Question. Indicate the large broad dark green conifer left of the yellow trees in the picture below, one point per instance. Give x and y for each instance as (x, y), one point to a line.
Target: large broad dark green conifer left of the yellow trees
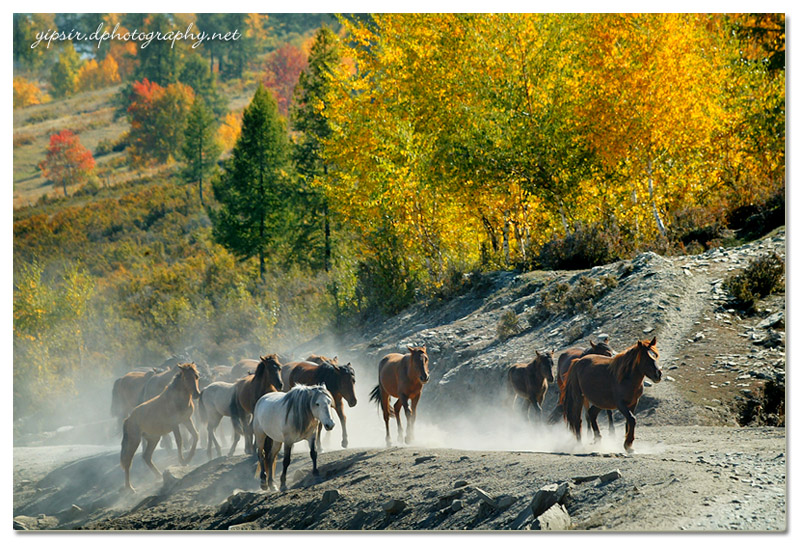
(253, 213)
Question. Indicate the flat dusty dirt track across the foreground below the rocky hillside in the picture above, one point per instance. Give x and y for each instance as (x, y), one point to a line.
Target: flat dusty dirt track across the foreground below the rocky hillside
(690, 478)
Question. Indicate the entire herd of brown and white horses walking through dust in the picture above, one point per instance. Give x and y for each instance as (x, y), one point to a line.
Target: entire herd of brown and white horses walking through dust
(272, 404)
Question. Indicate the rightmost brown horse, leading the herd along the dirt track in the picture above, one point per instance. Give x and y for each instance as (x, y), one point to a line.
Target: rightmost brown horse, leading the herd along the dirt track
(599, 382)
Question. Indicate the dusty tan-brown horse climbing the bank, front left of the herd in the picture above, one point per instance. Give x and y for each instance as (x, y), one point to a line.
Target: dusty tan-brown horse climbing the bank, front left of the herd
(159, 416)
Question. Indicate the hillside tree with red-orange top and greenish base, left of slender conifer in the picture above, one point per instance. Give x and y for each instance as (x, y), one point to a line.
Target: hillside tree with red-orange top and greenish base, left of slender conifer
(157, 117)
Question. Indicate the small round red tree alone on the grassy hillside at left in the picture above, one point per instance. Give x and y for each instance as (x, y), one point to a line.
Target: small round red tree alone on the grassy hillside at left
(67, 161)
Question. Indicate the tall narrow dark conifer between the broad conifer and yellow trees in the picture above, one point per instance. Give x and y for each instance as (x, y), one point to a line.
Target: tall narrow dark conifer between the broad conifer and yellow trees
(313, 128)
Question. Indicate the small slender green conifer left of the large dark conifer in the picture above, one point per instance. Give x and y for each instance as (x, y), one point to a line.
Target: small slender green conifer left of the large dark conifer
(200, 147)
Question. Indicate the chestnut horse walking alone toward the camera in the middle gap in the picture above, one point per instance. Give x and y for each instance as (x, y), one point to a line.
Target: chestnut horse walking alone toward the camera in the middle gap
(401, 376)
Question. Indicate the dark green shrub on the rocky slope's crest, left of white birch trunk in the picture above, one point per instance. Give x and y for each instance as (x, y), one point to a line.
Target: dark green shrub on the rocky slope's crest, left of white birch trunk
(584, 248)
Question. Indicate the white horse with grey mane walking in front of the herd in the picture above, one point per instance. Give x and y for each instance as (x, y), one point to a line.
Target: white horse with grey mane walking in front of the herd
(289, 417)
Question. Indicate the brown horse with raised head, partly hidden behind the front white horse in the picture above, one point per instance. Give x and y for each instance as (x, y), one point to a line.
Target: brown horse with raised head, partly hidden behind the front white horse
(267, 378)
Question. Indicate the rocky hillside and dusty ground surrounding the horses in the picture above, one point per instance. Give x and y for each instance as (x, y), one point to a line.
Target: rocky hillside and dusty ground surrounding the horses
(475, 464)
